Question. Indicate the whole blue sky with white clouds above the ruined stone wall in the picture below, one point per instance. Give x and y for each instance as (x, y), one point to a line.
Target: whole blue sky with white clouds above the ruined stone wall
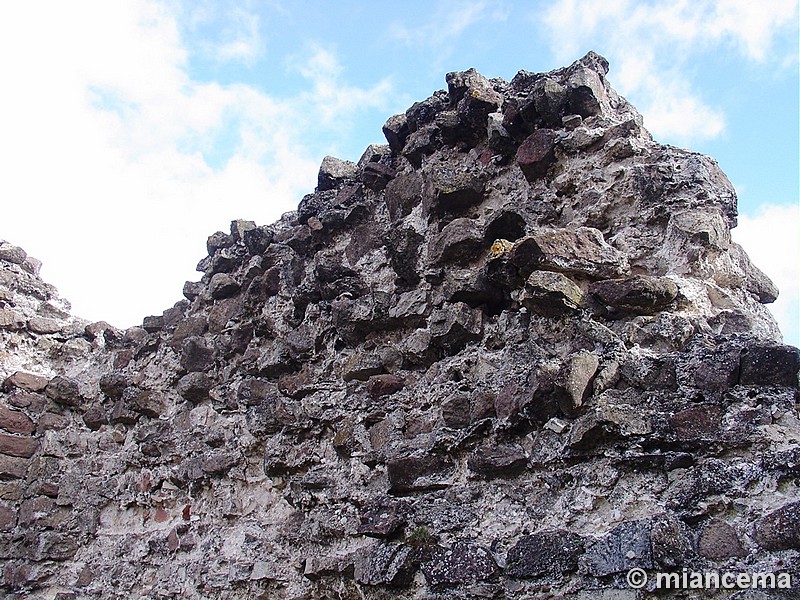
(130, 130)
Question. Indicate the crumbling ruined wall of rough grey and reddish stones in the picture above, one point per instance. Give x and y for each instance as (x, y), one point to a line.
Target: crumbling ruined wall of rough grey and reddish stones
(514, 353)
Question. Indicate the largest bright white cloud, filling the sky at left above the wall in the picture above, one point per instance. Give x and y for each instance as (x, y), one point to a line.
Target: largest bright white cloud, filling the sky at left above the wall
(105, 150)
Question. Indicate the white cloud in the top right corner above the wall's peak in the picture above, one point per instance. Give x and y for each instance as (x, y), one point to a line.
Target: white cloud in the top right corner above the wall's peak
(651, 45)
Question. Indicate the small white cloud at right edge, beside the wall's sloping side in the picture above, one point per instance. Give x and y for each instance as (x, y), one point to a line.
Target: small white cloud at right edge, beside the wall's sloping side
(772, 240)
